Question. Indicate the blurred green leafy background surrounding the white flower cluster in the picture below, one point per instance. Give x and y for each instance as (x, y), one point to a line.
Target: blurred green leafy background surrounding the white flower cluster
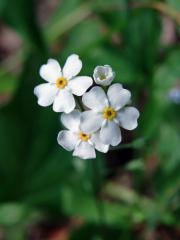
(129, 193)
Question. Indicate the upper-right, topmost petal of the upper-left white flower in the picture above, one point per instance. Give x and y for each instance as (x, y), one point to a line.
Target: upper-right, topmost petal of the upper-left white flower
(72, 66)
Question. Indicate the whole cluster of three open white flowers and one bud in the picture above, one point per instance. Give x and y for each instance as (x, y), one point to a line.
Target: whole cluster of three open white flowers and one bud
(97, 126)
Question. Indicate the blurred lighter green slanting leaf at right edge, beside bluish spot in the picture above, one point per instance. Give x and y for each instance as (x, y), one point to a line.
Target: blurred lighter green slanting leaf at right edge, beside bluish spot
(166, 76)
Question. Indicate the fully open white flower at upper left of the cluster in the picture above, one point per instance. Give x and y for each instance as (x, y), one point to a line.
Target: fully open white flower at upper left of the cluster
(62, 84)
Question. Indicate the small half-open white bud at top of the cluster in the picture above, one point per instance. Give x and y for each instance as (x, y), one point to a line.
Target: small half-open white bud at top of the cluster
(103, 75)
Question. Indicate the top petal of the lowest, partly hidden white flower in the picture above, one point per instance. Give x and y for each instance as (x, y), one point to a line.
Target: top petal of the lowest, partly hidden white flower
(71, 120)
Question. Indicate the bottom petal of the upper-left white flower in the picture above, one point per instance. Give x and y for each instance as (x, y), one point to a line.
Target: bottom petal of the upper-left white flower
(64, 102)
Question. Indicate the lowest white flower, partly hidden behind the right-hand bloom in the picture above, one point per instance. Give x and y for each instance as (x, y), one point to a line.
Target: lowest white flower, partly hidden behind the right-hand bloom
(83, 145)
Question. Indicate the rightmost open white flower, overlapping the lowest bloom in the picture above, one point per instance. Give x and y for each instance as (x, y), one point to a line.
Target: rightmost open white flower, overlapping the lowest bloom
(107, 113)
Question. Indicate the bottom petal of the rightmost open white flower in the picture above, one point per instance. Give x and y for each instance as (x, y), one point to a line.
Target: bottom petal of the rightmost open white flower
(110, 133)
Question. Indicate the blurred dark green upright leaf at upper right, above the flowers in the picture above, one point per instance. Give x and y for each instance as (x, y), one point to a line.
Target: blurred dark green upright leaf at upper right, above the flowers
(141, 40)
